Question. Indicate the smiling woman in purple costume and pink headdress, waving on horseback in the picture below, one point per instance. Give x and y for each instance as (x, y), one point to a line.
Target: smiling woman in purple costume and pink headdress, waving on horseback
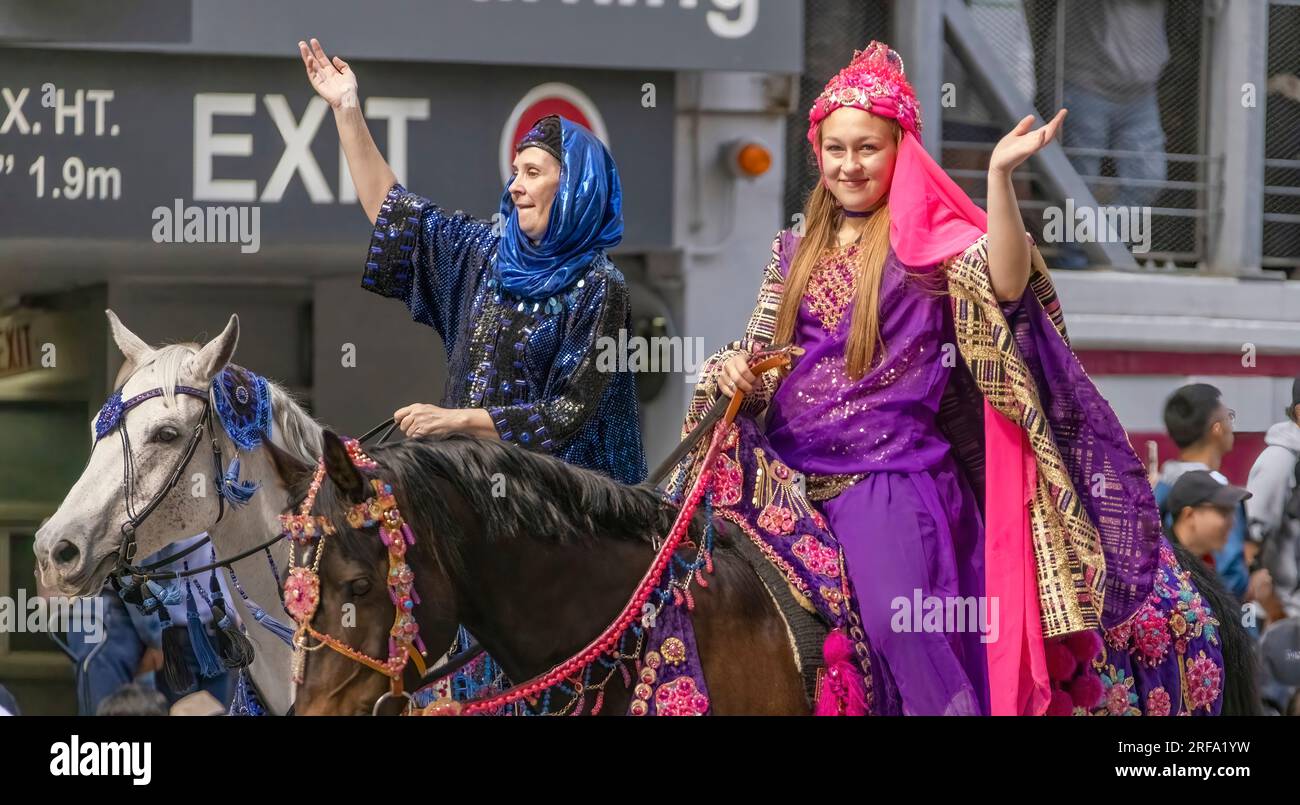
(928, 369)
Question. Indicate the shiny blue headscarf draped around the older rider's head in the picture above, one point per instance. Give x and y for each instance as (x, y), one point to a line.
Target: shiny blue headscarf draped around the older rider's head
(587, 219)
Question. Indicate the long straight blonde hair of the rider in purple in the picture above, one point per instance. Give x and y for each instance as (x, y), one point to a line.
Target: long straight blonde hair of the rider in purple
(822, 217)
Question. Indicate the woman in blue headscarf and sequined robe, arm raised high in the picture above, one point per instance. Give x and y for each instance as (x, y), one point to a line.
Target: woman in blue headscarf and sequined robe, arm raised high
(521, 304)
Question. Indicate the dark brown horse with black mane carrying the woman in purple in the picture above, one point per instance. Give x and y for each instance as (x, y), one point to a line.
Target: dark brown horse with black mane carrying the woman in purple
(536, 559)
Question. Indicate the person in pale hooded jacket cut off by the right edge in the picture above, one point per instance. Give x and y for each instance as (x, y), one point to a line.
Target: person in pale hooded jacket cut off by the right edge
(1275, 509)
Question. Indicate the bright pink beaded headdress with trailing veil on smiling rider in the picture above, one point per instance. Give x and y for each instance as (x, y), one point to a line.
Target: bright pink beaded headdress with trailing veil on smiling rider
(931, 219)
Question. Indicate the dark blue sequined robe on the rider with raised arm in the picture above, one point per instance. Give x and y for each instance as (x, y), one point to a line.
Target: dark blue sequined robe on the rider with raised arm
(531, 363)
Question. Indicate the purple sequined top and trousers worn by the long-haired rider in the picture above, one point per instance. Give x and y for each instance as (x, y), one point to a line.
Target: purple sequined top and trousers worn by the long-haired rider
(911, 527)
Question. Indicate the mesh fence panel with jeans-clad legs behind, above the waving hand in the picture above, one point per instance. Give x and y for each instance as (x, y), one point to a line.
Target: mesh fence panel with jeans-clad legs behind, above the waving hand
(1133, 75)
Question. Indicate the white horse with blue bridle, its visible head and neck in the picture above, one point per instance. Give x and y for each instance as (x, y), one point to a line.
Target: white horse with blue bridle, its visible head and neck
(79, 547)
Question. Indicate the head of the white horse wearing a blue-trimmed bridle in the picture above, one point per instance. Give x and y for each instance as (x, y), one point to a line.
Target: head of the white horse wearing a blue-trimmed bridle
(79, 547)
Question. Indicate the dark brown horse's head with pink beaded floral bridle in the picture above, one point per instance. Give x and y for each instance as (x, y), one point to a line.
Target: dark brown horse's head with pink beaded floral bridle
(361, 592)
